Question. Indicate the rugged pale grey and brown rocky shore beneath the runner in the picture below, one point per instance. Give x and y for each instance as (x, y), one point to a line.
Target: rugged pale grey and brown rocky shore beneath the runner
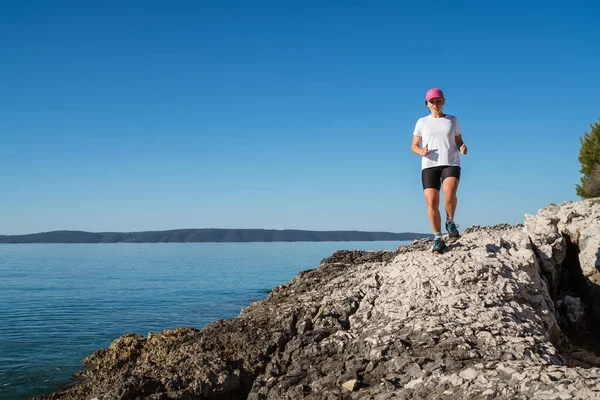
(507, 313)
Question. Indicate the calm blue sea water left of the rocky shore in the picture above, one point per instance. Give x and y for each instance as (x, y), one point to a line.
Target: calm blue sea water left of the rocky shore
(61, 302)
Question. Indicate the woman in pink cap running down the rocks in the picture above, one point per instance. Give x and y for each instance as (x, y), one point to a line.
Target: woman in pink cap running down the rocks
(440, 136)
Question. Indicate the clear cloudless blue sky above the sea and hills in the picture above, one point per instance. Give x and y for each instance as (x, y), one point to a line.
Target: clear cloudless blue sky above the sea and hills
(151, 115)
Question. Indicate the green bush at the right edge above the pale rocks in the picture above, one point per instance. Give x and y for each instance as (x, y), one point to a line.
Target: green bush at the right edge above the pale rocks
(589, 157)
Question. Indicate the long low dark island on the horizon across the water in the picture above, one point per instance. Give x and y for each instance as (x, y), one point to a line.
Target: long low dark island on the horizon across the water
(210, 235)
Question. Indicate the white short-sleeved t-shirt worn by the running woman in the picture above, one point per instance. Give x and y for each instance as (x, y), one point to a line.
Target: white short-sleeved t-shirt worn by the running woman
(438, 134)
